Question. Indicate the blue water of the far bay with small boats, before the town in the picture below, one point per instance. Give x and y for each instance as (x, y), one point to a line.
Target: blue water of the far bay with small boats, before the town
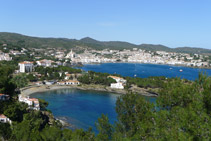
(146, 70)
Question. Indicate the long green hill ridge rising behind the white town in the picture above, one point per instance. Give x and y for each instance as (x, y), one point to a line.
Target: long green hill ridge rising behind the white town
(37, 42)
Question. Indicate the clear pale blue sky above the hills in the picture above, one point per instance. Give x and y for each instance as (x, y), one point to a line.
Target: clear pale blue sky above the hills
(174, 23)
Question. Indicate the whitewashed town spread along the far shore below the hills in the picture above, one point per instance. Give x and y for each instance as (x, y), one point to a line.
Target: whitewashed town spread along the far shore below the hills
(79, 55)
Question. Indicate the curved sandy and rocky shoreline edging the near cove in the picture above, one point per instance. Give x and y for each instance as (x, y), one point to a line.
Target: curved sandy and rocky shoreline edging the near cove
(27, 91)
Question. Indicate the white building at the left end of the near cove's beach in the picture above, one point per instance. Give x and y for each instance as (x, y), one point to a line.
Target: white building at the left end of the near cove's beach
(32, 102)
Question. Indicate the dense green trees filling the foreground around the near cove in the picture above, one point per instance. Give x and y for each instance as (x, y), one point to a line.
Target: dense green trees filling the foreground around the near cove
(182, 112)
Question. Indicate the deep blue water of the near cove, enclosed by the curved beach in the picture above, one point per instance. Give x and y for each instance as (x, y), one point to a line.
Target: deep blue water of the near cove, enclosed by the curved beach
(81, 108)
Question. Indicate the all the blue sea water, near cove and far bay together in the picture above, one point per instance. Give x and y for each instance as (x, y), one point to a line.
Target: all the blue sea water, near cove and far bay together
(82, 108)
